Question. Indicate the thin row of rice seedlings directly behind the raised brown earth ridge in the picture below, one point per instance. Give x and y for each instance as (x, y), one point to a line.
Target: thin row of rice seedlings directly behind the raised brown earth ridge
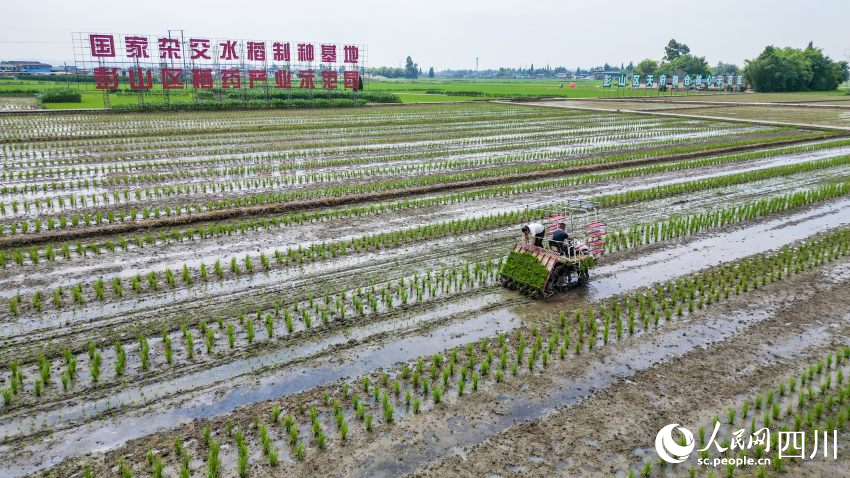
(355, 189)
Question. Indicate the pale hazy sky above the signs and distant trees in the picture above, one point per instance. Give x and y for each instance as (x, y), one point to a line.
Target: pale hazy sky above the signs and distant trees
(449, 34)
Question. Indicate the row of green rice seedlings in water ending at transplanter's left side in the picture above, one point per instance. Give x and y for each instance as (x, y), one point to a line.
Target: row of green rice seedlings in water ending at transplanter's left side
(343, 307)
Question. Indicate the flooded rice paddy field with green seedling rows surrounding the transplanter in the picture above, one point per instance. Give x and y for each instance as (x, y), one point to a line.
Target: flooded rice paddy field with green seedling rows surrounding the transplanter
(317, 293)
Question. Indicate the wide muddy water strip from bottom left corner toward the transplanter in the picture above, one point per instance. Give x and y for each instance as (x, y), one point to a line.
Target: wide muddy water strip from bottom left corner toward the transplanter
(230, 393)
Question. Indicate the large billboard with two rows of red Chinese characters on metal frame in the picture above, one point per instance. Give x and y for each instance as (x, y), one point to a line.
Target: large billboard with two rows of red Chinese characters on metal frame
(177, 61)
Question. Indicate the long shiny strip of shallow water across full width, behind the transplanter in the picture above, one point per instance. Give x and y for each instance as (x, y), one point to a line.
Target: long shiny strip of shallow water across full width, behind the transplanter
(64, 272)
